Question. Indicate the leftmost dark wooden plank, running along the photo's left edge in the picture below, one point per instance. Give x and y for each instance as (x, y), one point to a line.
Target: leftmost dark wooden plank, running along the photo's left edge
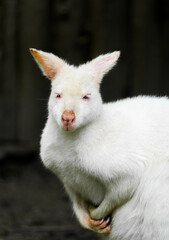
(8, 92)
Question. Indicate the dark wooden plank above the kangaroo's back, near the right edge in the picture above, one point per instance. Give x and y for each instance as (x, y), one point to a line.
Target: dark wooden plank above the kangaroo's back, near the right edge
(146, 48)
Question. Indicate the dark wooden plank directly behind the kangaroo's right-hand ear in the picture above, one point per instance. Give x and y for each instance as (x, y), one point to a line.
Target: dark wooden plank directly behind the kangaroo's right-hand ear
(108, 29)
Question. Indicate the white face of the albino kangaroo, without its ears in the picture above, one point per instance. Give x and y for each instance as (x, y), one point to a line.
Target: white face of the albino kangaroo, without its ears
(75, 99)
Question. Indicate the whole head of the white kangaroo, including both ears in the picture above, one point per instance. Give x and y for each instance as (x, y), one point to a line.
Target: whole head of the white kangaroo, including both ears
(75, 99)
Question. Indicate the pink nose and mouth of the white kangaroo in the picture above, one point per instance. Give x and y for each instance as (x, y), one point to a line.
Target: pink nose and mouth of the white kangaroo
(68, 118)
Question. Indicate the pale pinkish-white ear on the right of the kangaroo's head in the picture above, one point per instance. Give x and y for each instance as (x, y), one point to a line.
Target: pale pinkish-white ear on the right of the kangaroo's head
(102, 64)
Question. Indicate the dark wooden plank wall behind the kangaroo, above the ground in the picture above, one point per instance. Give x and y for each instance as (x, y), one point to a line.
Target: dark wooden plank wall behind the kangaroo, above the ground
(77, 30)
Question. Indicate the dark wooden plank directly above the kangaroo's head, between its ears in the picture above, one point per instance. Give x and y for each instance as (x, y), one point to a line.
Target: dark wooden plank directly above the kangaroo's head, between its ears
(71, 37)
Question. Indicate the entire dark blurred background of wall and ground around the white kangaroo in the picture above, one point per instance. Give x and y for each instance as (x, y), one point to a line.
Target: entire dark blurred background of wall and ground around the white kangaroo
(75, 30)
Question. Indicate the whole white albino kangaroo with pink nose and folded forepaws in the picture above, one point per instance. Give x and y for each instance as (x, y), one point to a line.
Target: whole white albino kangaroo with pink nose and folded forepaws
(113, 159)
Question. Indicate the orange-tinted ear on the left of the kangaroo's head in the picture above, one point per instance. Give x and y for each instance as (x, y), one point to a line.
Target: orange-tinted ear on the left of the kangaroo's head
(50, 64)
